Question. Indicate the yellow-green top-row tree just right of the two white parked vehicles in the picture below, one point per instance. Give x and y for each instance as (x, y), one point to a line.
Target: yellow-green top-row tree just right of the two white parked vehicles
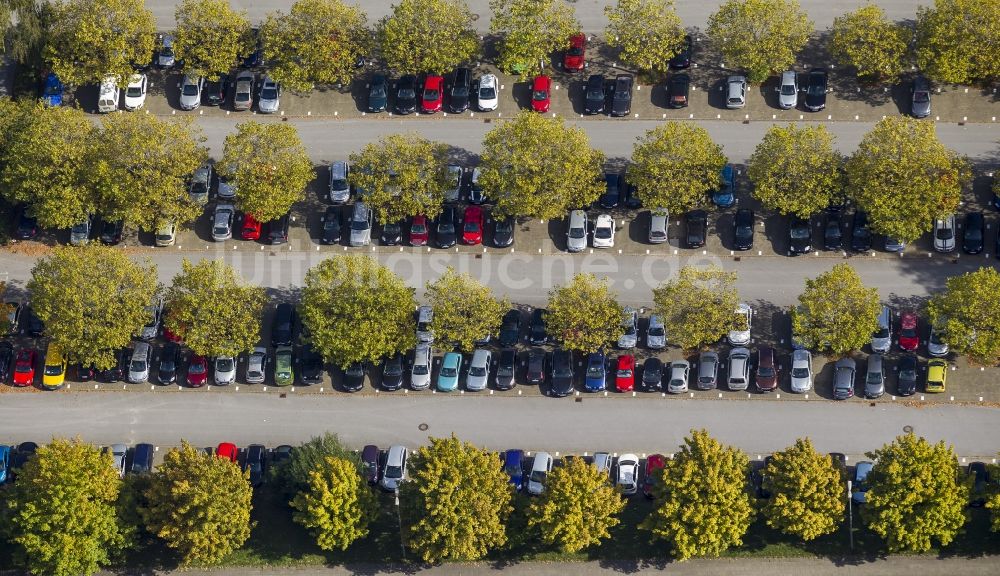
(211, 37)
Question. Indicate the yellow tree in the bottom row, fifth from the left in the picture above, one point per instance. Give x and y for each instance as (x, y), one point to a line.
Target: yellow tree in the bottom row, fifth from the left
(578, 508)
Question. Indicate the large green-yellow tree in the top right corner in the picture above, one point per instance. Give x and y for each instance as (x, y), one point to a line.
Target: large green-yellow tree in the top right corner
(957, 40)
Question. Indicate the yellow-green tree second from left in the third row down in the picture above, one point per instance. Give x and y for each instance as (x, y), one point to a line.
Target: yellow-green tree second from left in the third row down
(213, 310)
